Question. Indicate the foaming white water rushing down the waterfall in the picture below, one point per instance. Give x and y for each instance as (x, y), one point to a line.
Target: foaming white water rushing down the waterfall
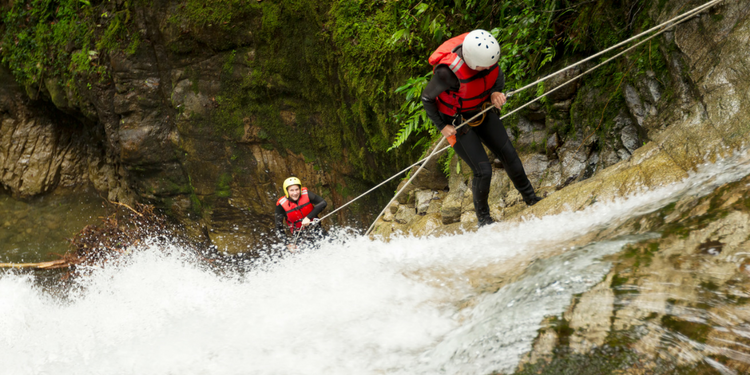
(359, 307)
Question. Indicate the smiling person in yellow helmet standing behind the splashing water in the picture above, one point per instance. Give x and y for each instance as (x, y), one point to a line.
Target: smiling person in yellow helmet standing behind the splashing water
(295, 211)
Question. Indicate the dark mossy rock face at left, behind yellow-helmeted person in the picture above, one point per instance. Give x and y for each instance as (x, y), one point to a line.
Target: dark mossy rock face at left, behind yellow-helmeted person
(203, 120)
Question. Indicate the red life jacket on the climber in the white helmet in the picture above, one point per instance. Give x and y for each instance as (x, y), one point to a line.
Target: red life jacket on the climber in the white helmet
(474, 86)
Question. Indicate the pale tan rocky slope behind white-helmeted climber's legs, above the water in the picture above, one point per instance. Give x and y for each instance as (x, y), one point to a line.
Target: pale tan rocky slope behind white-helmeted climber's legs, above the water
(680, 102)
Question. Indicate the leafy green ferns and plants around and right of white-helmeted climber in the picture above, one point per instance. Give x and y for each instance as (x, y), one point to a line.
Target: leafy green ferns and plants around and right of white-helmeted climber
(537, 37)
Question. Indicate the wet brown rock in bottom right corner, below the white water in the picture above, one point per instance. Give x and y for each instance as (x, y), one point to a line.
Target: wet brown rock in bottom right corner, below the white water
(672, 301)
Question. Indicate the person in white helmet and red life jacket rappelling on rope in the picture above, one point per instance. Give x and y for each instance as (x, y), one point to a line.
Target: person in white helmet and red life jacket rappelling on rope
(466, 77)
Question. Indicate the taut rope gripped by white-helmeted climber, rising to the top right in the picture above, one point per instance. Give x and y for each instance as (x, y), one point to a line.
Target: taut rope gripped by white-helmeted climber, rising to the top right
(663, 26)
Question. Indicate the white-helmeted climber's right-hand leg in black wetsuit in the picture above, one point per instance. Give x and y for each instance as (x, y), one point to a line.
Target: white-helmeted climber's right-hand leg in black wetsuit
(493, 134)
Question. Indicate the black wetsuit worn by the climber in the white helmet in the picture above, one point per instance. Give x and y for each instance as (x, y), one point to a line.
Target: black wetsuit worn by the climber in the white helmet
(469, 142)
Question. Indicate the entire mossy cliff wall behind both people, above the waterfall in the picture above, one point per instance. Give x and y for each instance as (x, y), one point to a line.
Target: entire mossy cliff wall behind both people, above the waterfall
(205, 107)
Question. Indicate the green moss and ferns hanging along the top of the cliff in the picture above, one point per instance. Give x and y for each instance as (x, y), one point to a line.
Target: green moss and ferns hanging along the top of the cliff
(327, 80)
